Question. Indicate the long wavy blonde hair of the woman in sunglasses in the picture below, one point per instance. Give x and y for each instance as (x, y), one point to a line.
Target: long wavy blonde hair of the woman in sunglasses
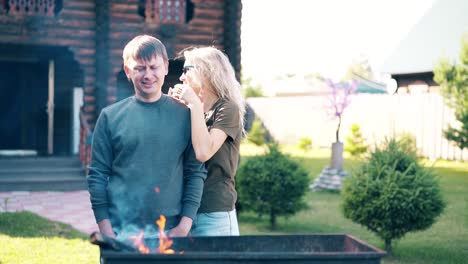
(214, 66)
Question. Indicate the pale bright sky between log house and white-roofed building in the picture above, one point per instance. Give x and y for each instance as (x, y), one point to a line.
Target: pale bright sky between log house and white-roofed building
(322, 36)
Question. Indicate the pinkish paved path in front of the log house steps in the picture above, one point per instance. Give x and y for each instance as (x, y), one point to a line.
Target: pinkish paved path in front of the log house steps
(72, 208)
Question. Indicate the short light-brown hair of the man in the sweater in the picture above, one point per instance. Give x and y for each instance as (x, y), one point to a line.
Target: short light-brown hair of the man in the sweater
(144, 47)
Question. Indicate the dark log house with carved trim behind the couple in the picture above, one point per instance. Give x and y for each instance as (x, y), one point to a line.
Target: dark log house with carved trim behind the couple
(60, 58)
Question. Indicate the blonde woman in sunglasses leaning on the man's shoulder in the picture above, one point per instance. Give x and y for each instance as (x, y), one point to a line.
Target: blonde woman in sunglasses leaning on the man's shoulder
(212, 93)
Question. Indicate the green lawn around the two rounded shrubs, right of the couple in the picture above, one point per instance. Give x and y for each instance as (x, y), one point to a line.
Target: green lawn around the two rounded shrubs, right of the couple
(445, 242)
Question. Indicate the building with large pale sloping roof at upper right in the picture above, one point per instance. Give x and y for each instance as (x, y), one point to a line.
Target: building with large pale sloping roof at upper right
(438, 34)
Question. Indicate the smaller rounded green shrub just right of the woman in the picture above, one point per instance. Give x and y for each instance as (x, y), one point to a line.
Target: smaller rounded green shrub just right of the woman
(272, 184)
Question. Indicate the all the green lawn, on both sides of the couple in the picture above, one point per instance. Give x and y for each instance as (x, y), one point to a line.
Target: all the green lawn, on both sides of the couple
(28, 238)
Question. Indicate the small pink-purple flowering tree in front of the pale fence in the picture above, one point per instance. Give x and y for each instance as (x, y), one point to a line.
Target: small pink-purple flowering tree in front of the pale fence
(339, 101)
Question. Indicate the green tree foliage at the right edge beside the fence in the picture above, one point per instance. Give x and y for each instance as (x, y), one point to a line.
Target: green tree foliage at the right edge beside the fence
(453, 80)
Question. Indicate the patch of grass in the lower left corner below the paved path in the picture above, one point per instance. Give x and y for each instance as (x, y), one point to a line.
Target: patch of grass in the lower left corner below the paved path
(28, 238)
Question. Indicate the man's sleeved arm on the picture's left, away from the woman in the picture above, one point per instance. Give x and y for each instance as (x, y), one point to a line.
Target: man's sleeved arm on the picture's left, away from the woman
(99, 172)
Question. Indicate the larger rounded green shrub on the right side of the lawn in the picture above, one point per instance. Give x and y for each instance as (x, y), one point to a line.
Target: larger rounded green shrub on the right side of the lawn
(392, 194)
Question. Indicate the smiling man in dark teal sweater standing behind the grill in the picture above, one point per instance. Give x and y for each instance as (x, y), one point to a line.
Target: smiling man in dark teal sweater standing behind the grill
(143, 164)
